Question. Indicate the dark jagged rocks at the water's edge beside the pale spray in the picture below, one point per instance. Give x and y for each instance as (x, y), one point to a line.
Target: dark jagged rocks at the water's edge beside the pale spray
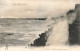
(40, 41)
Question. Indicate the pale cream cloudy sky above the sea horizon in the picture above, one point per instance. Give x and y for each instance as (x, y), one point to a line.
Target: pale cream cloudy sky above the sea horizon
(35, 8)
